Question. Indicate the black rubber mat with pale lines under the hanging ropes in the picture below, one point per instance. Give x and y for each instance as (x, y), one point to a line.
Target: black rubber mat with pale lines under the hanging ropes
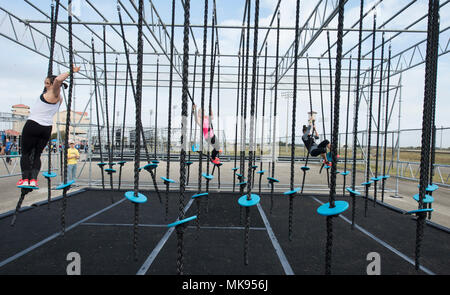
(99, 228)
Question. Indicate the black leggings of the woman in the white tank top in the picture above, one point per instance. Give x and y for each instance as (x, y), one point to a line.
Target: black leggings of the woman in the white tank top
(34, 139)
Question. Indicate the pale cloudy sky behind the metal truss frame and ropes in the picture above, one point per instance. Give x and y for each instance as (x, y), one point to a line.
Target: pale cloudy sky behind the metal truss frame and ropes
(23, 71)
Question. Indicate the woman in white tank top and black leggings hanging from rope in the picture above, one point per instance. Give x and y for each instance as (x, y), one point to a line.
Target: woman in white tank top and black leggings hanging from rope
(37, 130)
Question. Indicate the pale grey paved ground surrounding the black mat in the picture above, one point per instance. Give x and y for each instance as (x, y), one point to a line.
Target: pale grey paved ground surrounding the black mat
(9, 194)
